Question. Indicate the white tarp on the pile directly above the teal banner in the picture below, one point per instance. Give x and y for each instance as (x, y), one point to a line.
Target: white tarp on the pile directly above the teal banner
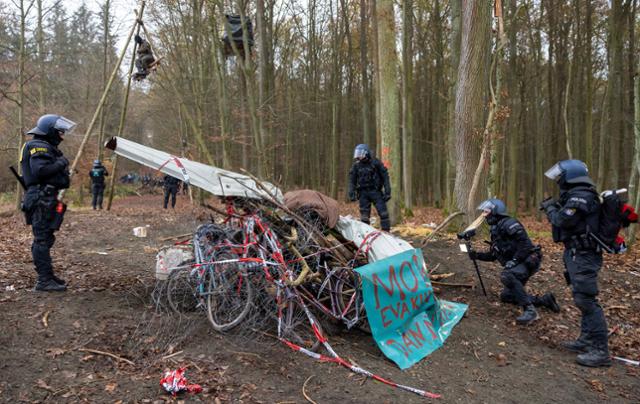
(382, 244)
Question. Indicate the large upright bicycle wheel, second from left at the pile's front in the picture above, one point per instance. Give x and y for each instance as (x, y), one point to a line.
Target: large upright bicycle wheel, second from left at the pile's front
(229, 293)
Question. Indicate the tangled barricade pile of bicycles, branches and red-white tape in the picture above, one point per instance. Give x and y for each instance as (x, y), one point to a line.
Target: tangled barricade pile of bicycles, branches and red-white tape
(263, 266)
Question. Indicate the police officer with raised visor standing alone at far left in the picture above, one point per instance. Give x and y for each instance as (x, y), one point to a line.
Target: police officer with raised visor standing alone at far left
(45, 171)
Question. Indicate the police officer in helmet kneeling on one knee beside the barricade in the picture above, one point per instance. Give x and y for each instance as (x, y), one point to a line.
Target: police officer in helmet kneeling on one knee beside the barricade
(512, 247)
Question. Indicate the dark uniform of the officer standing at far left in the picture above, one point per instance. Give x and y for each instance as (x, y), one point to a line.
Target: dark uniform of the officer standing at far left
(45, 172)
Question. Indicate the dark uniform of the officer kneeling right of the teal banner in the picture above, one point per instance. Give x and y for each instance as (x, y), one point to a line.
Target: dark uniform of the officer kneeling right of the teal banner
(510, 242)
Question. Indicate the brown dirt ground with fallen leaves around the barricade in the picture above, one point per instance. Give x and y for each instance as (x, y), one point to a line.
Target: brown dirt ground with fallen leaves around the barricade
(46, 339)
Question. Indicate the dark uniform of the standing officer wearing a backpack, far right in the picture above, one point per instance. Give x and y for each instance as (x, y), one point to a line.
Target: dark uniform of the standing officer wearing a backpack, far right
(573, 217)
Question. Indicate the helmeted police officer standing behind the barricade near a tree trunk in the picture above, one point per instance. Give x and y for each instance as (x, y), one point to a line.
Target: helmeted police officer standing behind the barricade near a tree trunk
(367, 178)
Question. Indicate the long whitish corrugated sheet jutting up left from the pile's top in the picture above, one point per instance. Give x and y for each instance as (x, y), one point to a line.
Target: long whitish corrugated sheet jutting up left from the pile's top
(212, 179)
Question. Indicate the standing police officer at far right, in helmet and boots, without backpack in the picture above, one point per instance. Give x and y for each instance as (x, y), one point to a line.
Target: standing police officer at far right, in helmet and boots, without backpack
(573, 217)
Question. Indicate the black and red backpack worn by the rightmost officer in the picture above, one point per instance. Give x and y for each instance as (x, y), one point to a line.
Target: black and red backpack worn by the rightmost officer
(614, 215)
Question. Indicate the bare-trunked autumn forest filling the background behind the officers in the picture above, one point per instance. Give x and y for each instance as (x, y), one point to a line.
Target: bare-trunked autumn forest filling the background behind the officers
(460, 99)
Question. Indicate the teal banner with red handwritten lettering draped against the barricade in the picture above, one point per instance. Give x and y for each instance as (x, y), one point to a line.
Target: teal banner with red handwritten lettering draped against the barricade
(408, 322)
